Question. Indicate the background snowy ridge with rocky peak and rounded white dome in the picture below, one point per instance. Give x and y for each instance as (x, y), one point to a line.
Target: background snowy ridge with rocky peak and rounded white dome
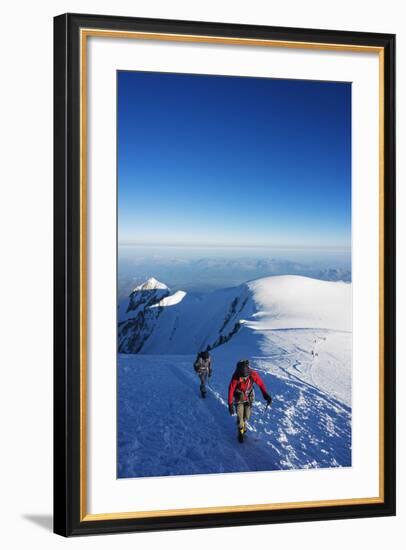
(189, 324)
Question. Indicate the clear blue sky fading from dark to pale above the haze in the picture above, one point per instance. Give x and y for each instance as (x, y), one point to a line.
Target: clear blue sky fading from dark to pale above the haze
(214, 160)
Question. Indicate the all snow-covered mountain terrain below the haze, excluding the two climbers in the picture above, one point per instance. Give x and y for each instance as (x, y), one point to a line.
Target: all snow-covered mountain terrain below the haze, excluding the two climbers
(296, 332)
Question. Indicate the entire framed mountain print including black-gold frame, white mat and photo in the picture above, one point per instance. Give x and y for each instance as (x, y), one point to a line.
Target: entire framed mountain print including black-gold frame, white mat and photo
(224, 274)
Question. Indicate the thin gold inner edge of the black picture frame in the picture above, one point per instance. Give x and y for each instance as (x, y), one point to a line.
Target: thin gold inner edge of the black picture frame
(84, 34)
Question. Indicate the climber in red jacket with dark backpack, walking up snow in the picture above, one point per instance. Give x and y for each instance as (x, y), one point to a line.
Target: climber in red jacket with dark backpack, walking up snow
(241, 394)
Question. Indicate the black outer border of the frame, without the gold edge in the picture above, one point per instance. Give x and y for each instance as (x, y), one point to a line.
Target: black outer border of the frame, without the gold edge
(67, 521)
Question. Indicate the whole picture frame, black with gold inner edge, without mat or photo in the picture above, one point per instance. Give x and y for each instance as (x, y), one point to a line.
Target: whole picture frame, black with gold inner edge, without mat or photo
(72, 205)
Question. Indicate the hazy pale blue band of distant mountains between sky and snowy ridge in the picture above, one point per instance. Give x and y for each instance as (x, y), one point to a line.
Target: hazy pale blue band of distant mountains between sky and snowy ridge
(205, 269)
